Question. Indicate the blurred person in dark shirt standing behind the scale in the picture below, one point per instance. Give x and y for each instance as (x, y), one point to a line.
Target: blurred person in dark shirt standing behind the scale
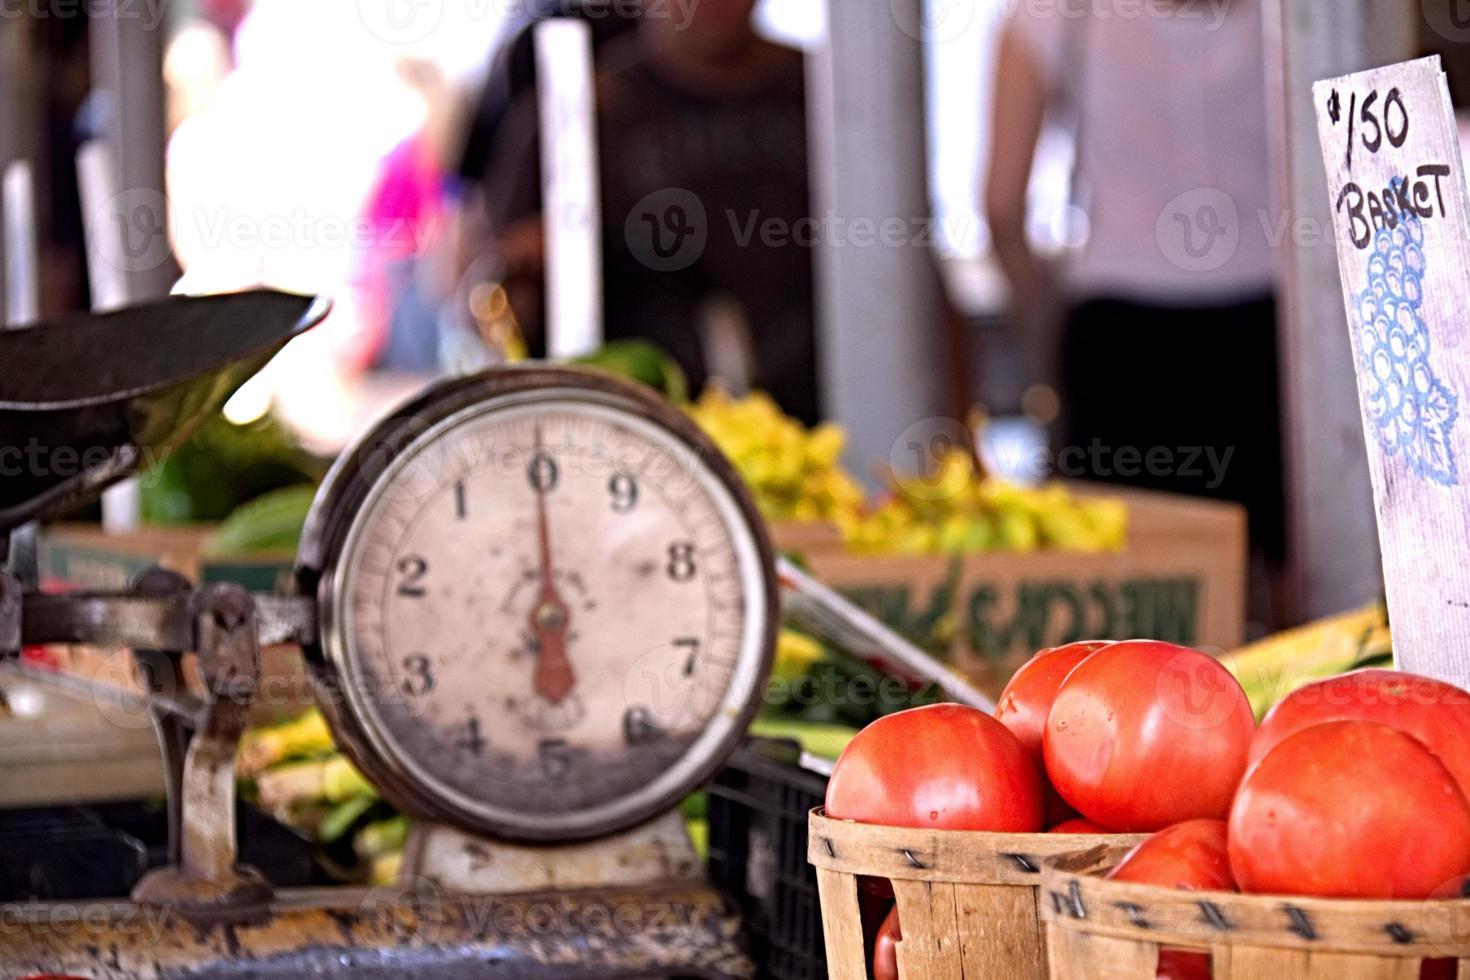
(703, 156)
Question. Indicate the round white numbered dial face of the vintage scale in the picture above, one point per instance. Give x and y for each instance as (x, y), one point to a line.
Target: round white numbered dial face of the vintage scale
(551, 616)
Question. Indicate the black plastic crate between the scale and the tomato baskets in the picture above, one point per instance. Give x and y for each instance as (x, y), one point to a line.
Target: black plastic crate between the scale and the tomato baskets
(758, 818)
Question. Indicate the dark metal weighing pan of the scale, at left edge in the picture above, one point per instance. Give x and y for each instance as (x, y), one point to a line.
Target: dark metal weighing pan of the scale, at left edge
(85, 399)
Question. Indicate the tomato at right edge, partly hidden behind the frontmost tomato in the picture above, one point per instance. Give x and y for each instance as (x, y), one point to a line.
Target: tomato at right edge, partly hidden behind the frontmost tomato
(1435, 713)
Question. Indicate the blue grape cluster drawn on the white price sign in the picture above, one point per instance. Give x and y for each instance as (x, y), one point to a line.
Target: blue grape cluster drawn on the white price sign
(1409, 408)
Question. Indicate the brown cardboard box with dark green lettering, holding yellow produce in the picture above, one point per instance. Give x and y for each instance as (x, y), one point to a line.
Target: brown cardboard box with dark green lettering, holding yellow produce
(1181, 580)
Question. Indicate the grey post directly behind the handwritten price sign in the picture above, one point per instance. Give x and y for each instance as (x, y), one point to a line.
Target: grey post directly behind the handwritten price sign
(1333, 536)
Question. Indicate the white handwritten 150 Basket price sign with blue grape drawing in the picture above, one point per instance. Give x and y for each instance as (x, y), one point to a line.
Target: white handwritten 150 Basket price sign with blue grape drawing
(1400, 212)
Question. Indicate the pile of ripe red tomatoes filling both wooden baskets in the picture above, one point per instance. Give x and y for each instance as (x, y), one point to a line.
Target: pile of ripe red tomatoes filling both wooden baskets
(1358, 787)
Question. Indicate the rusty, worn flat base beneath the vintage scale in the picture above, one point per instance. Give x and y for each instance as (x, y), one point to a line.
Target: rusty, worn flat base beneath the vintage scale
(390, 932)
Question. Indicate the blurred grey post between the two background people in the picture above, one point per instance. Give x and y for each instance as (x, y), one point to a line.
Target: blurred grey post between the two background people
(878, 300)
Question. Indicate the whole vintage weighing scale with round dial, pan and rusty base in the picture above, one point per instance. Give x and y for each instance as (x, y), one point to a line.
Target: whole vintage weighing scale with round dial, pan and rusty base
(539, 609)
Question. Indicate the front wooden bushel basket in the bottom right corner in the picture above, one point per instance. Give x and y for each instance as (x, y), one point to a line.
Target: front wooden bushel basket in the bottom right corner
(1114, 931)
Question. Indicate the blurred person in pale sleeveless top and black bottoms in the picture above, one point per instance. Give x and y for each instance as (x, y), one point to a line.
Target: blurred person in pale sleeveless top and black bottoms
(1168, 343)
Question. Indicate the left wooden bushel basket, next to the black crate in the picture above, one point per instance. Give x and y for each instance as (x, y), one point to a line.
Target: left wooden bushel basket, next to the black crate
(968, 901)
